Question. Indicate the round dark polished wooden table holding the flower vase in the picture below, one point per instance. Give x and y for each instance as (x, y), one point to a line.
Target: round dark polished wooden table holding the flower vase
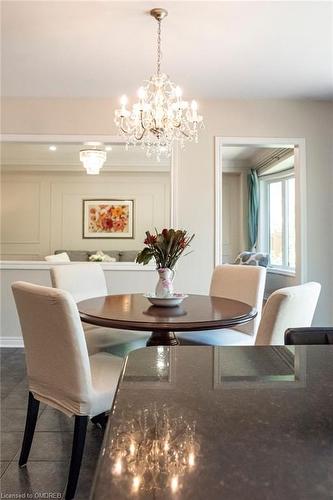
(134, 312)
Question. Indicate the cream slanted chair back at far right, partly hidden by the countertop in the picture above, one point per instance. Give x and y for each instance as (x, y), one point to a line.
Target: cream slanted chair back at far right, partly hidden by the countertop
(290, 307)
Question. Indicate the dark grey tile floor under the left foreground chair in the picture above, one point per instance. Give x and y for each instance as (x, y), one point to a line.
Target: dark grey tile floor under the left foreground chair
(47, 468)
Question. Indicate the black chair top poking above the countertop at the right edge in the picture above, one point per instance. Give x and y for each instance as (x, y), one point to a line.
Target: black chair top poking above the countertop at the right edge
(315, 335)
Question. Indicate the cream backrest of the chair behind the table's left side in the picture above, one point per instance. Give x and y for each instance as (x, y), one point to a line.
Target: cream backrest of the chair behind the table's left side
(82, 281)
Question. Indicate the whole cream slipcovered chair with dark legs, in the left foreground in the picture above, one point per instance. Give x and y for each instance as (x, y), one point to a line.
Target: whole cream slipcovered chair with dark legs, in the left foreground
(60, 371)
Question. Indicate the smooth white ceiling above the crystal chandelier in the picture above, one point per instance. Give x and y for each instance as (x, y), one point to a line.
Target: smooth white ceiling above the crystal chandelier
(254, 49)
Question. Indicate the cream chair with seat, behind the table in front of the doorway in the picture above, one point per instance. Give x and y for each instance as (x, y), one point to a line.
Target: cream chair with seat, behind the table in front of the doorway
(243, 283)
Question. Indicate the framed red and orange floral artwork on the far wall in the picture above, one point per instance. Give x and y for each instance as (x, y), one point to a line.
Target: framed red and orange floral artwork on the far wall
(108, 218)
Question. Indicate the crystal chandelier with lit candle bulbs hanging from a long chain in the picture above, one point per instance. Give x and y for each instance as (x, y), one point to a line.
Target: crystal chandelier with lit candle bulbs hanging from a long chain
(160, 116)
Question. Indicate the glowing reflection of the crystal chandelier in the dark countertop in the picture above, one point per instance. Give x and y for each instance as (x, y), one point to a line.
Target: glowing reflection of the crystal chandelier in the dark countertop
(153, 451)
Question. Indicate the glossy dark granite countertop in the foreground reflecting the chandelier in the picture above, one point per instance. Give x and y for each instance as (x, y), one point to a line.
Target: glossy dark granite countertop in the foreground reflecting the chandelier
(231, 423)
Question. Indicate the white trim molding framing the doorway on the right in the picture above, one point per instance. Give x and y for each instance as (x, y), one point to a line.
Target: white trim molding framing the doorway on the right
(300, 196)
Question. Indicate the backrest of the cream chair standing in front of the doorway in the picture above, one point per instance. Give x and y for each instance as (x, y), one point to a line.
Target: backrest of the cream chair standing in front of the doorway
(243, 283)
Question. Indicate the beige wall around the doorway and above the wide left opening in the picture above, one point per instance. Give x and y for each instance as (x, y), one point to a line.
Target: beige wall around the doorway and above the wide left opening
(260, 118)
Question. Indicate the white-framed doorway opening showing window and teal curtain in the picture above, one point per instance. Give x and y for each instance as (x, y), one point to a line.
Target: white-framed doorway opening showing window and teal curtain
(260, 208)
